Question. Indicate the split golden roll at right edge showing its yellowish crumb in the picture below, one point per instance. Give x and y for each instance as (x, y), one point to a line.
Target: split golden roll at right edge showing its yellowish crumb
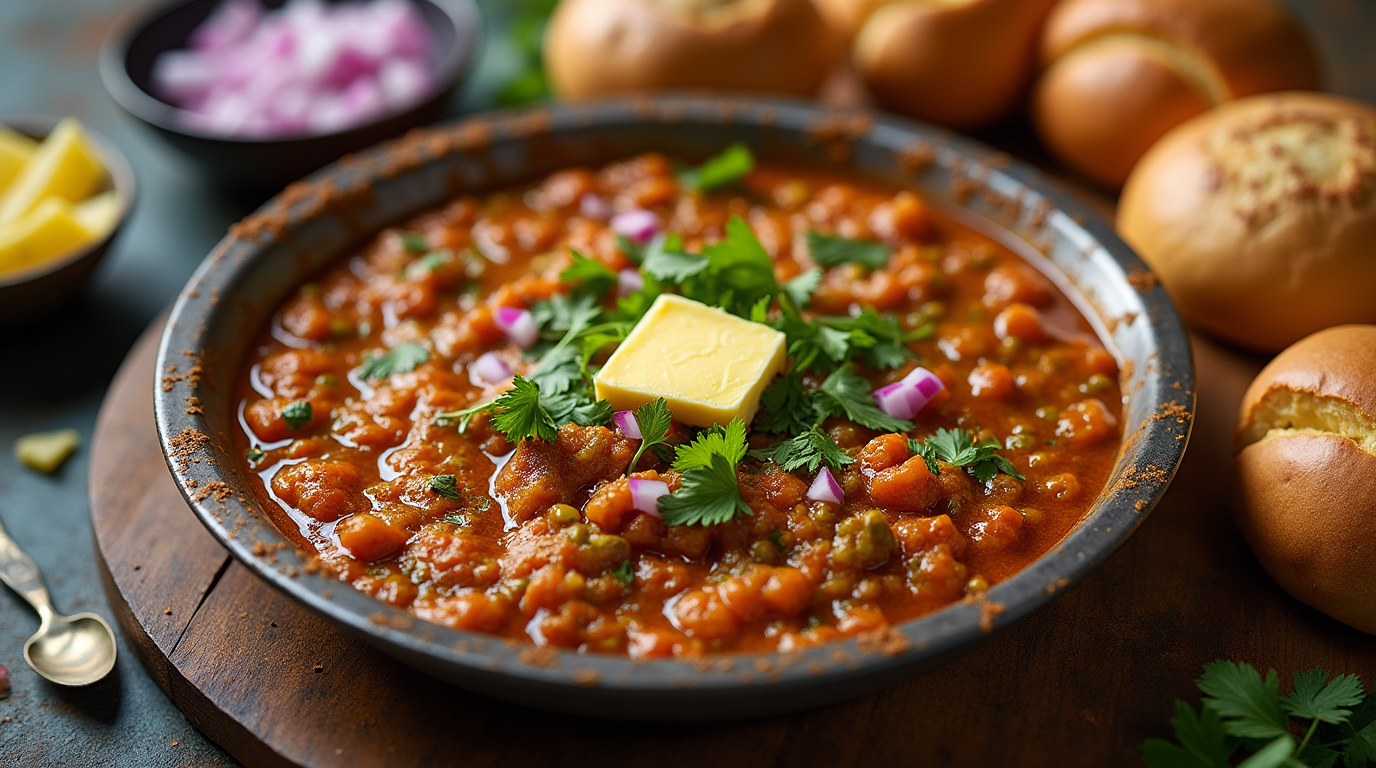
(1307, 473)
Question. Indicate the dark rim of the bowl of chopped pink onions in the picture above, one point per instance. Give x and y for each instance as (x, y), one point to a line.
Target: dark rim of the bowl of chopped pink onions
(455, 68)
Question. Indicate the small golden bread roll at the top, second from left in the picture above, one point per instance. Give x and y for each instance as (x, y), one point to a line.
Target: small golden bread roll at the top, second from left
(957, 63)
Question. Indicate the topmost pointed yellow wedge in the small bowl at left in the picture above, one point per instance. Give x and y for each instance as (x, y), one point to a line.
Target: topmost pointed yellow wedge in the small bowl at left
(64, 167)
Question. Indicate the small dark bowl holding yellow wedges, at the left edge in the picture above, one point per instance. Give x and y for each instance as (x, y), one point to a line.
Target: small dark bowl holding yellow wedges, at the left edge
(30, 295)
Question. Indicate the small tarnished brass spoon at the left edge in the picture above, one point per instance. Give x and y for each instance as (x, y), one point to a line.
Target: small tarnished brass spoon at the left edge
(67, 650)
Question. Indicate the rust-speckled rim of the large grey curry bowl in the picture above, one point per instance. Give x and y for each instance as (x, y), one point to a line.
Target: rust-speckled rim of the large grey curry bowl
(1121, 509)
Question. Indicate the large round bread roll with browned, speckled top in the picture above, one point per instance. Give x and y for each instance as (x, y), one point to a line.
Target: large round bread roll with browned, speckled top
(1260, 217)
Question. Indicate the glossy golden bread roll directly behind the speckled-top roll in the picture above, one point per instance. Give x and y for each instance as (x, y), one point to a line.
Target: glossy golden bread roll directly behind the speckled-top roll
(1118, 75)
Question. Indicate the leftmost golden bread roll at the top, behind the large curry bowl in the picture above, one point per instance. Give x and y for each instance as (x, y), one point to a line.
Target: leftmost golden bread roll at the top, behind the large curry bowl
(602, 47)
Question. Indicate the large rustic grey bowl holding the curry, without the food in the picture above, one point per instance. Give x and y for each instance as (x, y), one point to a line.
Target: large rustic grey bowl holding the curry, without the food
(284, 244)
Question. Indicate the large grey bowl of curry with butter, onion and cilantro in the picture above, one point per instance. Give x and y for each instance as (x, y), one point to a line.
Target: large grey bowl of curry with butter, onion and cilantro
(675, 409)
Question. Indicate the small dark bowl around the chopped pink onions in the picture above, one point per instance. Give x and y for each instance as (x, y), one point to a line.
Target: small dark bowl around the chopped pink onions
(264, 166)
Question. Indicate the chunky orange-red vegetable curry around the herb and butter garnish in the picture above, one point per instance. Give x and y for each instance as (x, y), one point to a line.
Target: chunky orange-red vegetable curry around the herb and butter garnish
(541, 542)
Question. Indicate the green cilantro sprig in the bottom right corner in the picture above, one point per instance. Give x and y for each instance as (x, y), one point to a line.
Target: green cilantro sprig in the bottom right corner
(1322, 723)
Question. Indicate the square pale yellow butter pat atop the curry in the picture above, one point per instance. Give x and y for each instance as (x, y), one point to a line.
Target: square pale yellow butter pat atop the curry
(709, 367)
